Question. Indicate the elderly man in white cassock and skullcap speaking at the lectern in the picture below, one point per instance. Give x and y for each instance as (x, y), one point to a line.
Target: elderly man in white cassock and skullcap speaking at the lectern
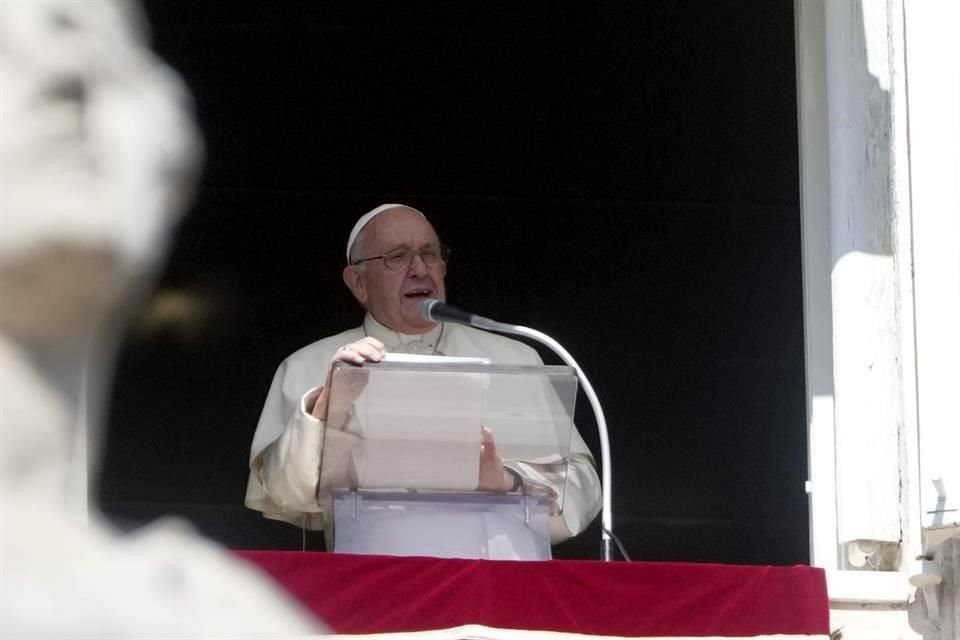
(395, 260)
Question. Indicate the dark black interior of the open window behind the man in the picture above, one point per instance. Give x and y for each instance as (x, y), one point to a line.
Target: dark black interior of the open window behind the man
(621, 175)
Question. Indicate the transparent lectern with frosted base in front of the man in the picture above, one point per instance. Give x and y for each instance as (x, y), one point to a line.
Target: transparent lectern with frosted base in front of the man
(404, 450)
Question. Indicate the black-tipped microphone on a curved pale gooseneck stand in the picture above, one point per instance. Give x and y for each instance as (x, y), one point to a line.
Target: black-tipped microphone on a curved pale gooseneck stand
(606, 513)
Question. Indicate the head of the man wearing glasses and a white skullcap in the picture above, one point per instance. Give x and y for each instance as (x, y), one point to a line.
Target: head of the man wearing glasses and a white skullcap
(392, 296)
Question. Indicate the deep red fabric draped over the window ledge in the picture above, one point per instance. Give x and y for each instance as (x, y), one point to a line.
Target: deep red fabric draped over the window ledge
(378, 594)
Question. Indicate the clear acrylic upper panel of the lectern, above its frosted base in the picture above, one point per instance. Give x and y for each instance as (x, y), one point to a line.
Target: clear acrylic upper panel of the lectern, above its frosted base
(419, 425)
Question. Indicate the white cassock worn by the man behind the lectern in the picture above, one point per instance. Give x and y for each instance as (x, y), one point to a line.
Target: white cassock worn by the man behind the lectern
(285, 459)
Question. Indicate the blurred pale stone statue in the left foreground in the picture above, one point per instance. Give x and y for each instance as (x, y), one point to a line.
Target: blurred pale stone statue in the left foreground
(97, 154)
